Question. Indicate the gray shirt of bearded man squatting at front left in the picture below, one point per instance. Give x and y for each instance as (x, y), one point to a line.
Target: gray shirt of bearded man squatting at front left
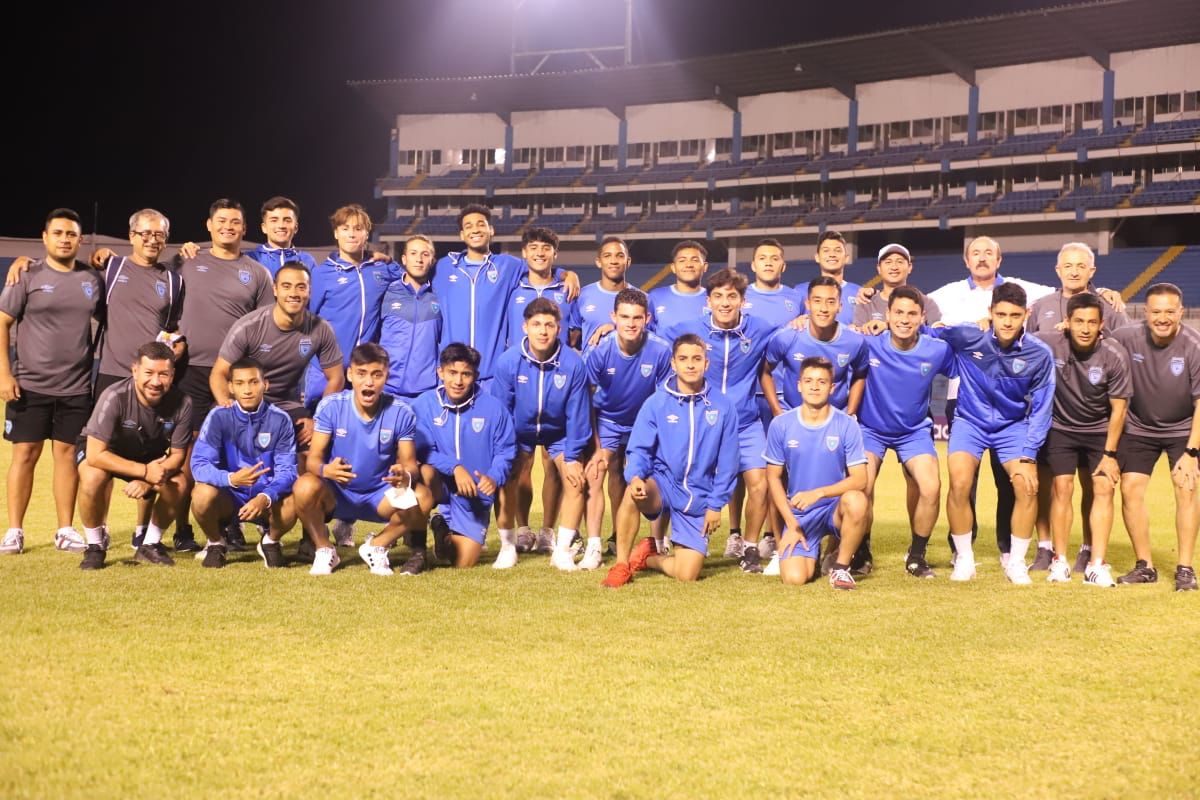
(139, 432)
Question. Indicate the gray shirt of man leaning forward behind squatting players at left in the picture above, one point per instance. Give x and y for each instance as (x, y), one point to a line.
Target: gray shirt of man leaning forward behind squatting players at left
(285, 356)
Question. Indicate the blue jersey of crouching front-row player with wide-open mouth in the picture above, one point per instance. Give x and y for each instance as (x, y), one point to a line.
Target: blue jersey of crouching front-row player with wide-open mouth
(368, 446)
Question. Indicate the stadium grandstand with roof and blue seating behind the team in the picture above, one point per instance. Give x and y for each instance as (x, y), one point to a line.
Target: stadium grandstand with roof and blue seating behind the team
(1036, 128)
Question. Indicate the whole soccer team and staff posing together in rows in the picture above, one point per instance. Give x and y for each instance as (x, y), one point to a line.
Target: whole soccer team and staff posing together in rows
(257, 387)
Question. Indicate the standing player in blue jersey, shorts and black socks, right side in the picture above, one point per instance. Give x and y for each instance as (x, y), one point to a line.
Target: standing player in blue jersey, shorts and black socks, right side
(903, 365)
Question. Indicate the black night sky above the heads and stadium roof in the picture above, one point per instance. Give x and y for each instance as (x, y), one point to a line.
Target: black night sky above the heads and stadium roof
(175, 105)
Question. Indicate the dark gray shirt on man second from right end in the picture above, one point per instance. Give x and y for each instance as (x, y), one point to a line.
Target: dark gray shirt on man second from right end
(1084, 387)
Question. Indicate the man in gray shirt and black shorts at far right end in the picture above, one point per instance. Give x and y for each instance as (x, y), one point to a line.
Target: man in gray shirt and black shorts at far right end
(1165, 360)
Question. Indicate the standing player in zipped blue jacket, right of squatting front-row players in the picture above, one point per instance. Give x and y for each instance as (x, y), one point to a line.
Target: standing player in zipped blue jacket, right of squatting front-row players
(544, 387)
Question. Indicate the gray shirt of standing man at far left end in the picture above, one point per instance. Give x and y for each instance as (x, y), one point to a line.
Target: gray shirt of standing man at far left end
(55, 312)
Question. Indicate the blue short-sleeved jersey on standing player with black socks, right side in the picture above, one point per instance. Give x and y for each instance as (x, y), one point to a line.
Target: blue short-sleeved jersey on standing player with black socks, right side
(899, 383)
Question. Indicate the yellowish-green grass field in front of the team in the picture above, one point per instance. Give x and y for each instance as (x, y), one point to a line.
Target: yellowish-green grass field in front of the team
(146, 682)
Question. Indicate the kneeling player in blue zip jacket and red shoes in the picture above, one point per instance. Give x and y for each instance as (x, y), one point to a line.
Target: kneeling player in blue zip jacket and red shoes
(682, 458)
